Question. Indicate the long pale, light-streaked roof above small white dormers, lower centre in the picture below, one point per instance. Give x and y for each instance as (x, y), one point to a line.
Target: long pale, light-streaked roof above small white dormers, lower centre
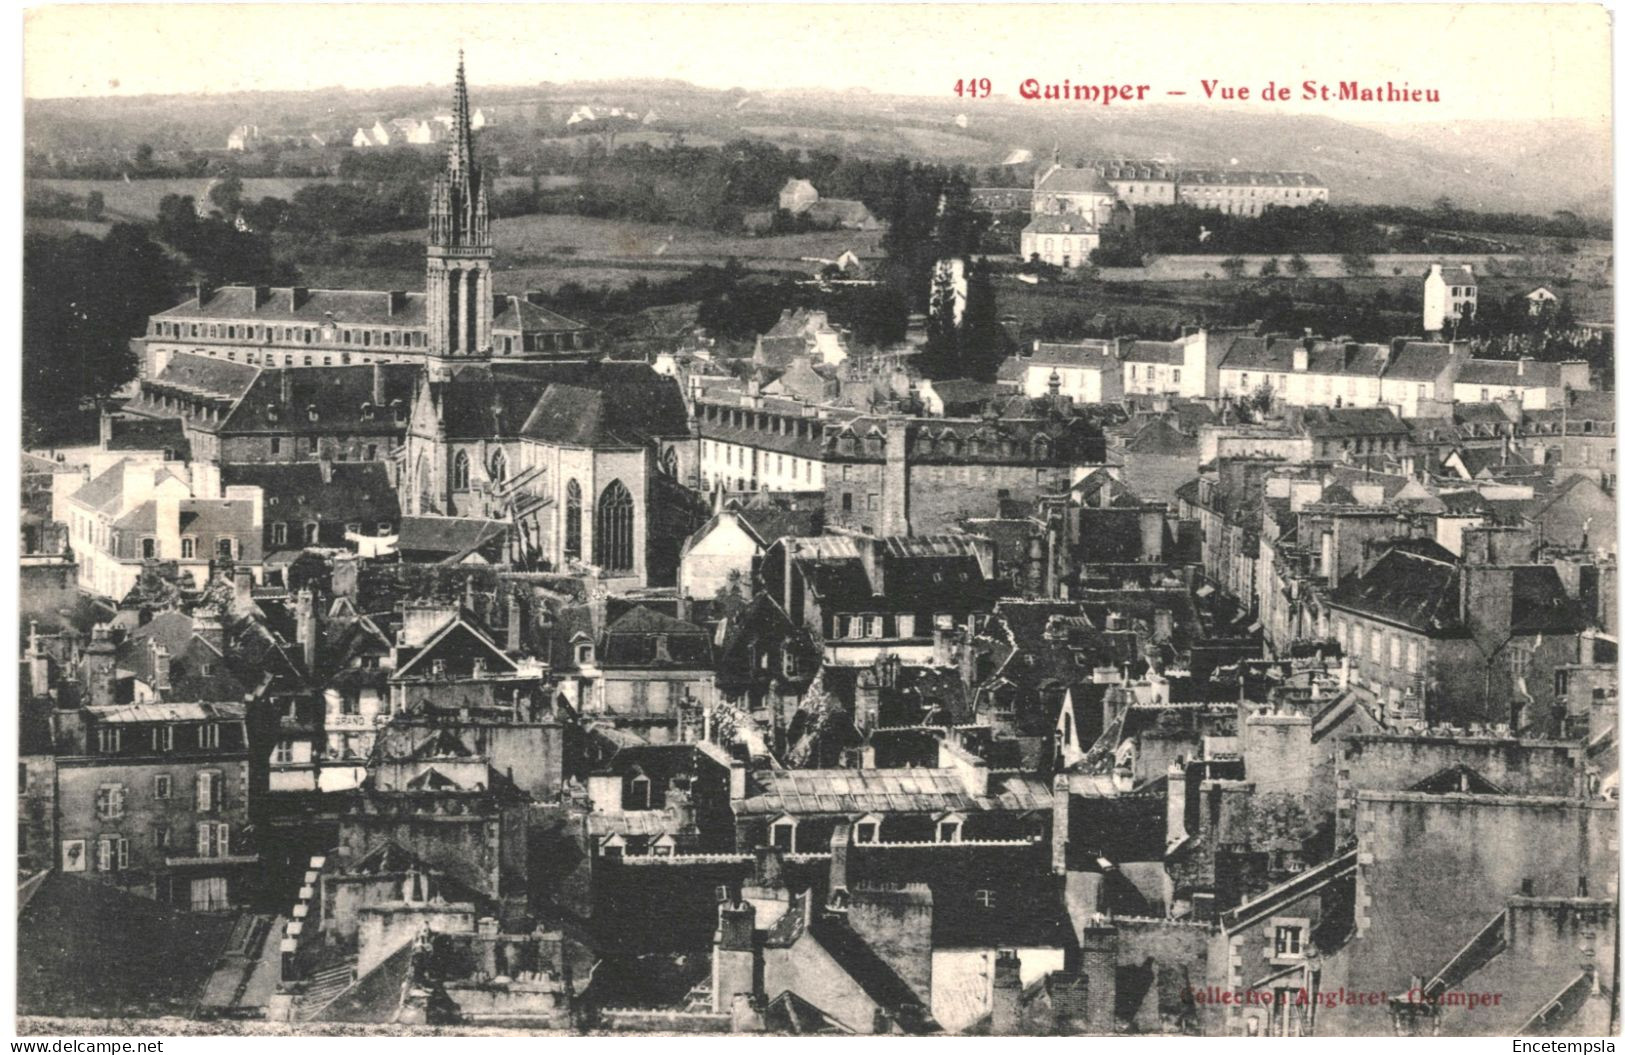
(807, 792)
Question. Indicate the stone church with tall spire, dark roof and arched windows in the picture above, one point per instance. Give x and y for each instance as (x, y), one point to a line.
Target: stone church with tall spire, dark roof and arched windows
(584, 456)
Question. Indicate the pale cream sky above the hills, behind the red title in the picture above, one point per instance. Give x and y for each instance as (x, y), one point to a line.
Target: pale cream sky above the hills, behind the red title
(1489, 61)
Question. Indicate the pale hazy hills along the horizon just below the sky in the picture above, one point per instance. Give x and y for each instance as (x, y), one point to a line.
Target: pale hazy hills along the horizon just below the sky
(1496, 167)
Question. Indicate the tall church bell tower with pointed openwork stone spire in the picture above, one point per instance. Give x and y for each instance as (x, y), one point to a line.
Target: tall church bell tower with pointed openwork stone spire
(459, 282)
